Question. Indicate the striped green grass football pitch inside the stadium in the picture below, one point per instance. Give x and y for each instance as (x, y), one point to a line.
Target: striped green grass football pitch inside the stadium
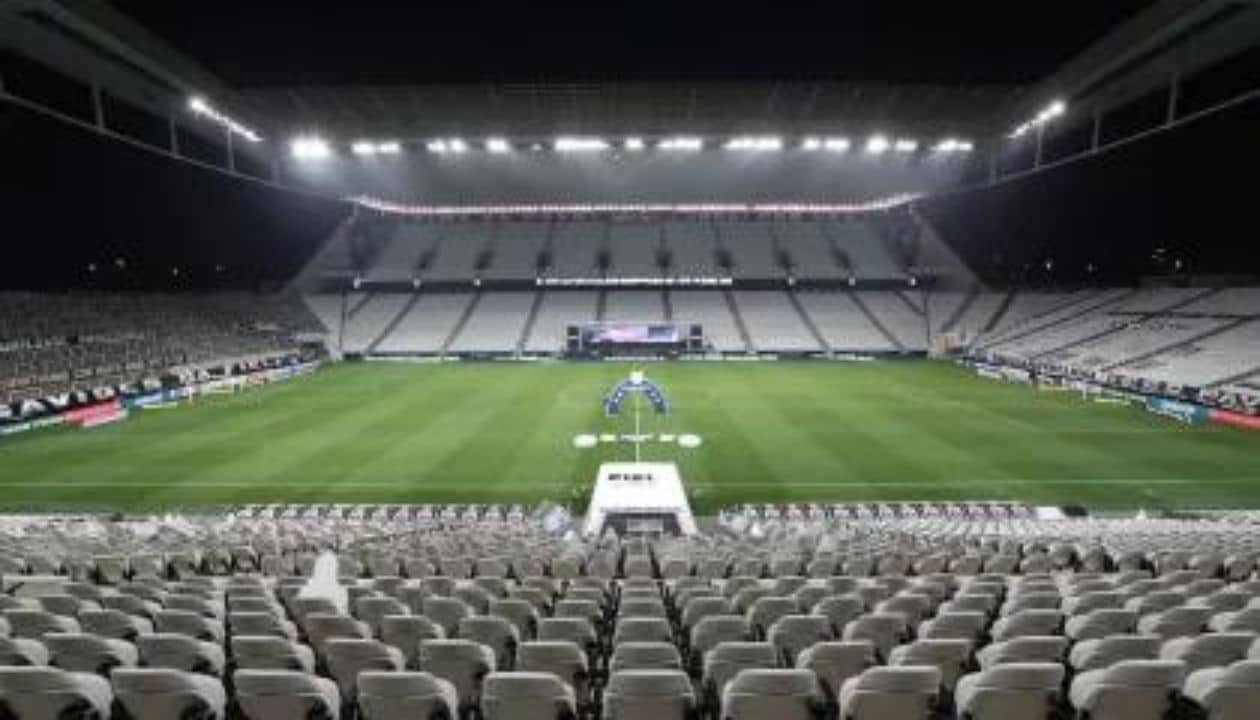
(385, 433)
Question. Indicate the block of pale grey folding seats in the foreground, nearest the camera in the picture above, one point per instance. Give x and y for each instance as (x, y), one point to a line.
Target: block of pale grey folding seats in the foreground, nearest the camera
(473, 630)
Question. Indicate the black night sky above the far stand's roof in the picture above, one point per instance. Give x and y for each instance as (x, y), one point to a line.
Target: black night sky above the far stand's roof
(287, 44)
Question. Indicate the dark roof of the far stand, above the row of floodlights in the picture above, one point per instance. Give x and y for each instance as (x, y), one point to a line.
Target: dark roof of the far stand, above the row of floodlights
(539, 110)
